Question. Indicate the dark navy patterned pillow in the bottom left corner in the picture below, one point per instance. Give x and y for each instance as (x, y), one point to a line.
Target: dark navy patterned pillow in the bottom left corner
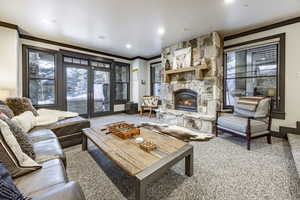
(8, 190)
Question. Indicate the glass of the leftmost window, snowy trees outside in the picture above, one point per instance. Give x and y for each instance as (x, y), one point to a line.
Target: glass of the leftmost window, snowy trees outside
(41, 77)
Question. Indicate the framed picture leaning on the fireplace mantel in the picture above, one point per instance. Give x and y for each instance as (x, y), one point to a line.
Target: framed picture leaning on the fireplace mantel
(182, 58)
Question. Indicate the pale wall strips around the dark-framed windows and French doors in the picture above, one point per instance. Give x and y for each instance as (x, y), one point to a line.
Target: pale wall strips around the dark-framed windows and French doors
(55, 47)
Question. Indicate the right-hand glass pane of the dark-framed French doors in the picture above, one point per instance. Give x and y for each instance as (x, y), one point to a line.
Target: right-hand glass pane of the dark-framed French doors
(101, 92)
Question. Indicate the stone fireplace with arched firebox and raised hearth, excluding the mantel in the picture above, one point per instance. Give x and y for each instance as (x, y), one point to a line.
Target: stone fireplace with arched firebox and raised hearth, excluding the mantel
(187, 100)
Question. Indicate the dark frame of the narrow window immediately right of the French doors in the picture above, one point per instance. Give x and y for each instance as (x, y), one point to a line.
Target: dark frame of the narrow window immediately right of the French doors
(123, 101)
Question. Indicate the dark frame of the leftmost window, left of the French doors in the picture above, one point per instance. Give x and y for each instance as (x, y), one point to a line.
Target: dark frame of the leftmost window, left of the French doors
(26, 76)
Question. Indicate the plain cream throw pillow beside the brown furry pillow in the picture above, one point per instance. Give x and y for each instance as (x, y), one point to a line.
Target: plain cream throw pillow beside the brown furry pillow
(26, 121)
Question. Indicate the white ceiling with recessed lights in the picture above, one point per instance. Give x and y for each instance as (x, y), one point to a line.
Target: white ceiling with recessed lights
(81, 22)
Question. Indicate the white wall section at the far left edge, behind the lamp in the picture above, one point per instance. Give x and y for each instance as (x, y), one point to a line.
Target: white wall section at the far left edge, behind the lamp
(9, 59)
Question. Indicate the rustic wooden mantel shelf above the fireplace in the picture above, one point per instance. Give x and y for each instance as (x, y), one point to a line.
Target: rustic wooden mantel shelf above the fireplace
(197, 69)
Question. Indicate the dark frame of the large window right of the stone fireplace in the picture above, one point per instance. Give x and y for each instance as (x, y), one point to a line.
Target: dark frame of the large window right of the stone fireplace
(280, 112)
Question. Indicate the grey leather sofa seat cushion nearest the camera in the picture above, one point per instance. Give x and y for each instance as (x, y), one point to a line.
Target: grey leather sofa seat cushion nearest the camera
(50, 175)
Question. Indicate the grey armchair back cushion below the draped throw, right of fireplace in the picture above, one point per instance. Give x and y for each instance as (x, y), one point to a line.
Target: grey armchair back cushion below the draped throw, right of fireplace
(261, 111)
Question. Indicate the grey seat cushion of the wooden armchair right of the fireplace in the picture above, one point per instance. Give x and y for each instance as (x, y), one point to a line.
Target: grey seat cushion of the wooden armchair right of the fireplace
(239, 124)
